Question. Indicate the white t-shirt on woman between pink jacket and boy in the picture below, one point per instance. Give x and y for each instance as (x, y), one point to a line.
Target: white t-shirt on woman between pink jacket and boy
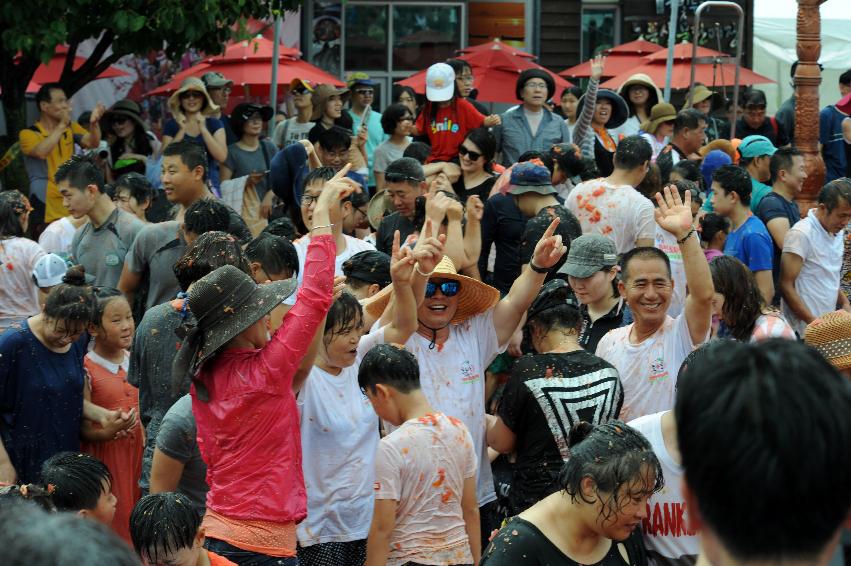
(339, 439)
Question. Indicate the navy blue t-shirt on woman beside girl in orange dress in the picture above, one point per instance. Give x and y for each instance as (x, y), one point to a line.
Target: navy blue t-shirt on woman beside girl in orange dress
(41, 399)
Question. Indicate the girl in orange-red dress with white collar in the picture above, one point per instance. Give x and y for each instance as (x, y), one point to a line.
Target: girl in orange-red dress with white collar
(106, 373)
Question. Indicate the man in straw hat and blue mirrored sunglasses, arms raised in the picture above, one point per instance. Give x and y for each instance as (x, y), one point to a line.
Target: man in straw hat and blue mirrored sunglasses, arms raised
(463, 326)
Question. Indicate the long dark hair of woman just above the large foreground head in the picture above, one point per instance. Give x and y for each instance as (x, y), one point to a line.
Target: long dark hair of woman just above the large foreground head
(743, 302)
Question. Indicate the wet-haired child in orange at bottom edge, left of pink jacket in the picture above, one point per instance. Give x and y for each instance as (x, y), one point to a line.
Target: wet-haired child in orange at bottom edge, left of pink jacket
(166, 529)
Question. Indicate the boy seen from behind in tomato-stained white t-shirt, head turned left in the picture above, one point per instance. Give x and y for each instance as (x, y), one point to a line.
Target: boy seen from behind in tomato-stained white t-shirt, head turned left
(426, 509)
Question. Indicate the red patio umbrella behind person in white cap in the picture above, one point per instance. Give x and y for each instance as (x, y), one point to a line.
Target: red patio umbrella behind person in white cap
(495, 73)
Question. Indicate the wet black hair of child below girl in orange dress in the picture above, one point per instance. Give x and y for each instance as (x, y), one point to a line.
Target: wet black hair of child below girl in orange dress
(78, 480)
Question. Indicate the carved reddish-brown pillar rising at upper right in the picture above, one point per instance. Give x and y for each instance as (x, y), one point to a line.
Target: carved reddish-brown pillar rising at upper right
(807, 81)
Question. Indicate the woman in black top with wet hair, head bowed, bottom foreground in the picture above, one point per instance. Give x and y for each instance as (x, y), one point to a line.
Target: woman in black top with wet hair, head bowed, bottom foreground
(595, 517)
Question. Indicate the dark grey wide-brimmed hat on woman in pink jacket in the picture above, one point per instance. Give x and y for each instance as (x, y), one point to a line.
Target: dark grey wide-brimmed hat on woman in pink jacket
(225, 303)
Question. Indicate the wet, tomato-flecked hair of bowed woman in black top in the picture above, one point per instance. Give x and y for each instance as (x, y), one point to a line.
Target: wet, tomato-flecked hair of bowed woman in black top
(615, 456)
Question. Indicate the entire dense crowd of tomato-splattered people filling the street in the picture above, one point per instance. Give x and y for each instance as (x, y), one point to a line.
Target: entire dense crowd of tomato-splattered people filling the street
(593, 329)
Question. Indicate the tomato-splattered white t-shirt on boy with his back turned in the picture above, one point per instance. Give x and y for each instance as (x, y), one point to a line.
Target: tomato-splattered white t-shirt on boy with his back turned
(423, 465)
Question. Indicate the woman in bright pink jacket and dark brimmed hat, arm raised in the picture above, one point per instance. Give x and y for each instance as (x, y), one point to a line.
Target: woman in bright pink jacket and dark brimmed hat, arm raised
(251, 381)
